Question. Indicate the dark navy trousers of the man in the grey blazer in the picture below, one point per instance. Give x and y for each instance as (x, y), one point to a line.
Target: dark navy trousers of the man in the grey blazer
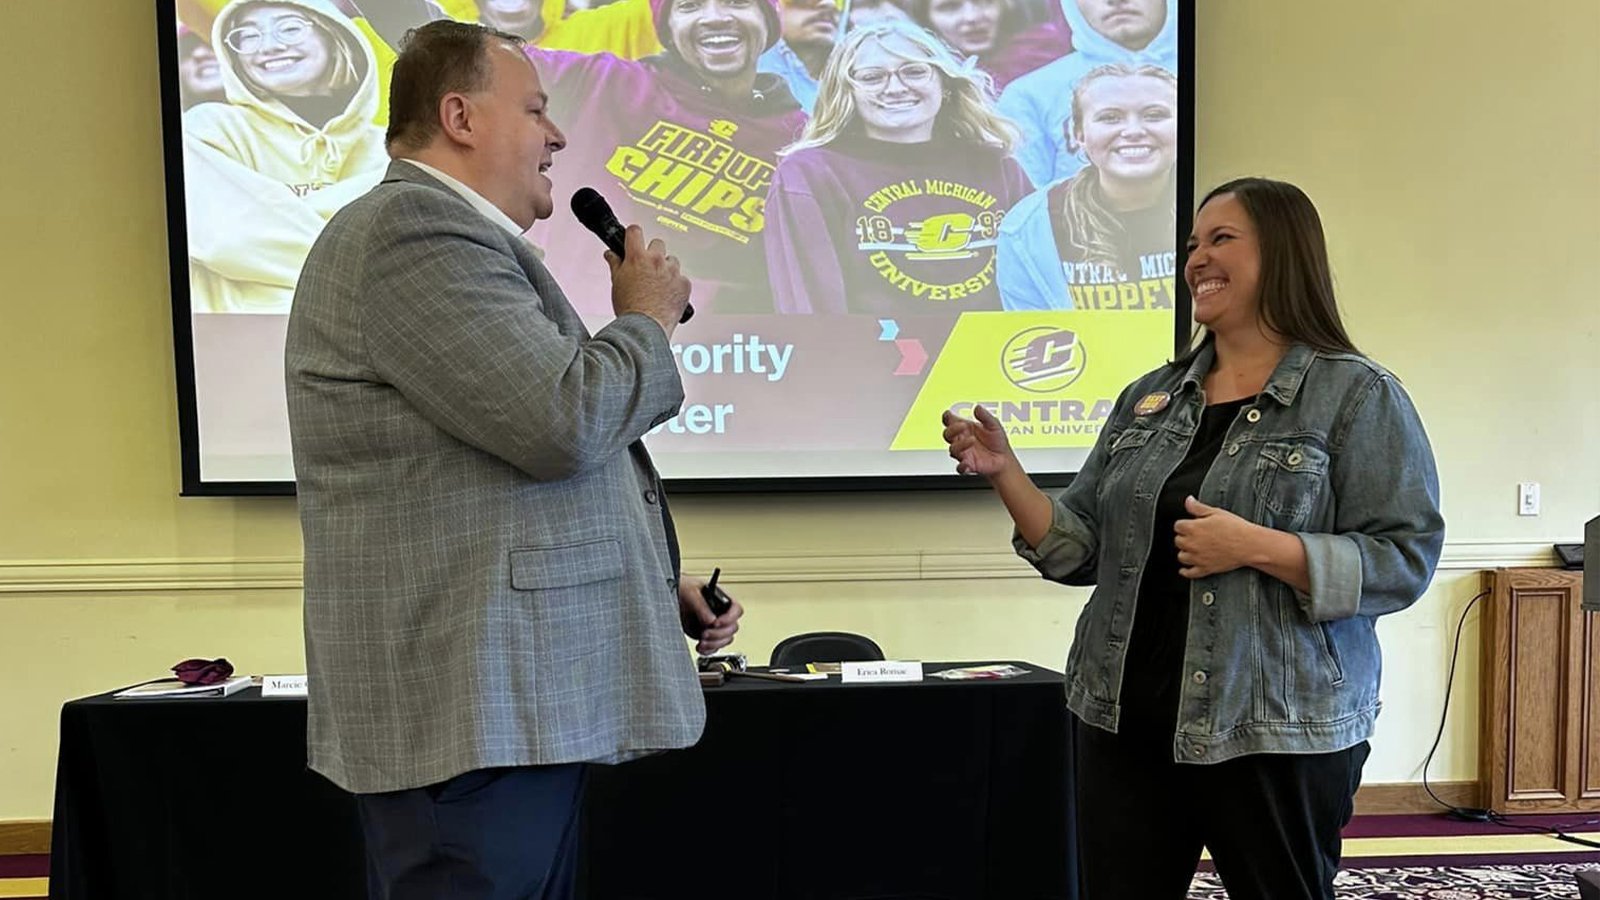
(487, 835)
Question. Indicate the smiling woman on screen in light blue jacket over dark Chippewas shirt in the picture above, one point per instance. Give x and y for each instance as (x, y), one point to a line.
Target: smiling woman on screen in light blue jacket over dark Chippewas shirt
(1103, 239)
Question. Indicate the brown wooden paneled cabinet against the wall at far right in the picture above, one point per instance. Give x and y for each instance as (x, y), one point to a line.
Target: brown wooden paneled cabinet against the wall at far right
(1540, 747)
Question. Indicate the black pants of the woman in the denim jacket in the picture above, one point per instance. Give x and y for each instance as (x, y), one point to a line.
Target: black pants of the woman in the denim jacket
(1273, 822)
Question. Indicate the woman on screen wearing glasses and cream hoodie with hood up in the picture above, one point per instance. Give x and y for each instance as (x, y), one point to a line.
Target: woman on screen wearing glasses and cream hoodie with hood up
(294, 143)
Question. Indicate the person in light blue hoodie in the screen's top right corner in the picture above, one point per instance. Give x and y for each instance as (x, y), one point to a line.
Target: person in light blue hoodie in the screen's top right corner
(1134, 33)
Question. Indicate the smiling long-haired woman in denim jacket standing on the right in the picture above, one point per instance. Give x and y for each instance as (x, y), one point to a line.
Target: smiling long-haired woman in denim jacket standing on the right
(1246, 516)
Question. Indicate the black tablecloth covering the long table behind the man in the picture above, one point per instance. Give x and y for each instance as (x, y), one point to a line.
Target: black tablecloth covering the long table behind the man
(796, 792)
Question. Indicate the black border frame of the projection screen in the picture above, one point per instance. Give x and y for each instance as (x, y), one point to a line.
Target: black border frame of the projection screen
(193, 484)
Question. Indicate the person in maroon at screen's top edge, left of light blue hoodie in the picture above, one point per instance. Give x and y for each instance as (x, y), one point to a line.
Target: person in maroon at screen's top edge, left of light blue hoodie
(996, 34)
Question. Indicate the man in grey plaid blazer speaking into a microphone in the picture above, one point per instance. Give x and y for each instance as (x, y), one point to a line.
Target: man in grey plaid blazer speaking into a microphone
(492, 576)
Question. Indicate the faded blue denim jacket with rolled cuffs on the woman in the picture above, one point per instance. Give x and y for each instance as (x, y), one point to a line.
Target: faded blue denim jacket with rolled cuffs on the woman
(1334, 452)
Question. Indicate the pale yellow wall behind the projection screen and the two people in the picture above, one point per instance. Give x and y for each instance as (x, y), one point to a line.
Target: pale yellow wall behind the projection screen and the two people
(1455, 158)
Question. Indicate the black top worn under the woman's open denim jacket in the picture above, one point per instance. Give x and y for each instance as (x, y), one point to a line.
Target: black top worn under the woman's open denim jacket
(1161, 621)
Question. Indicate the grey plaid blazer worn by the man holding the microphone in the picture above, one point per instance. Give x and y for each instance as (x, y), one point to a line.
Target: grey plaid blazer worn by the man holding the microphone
(489, 573)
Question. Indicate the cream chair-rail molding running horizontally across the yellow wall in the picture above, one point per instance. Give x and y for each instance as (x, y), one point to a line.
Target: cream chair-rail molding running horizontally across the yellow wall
(134, 576)
